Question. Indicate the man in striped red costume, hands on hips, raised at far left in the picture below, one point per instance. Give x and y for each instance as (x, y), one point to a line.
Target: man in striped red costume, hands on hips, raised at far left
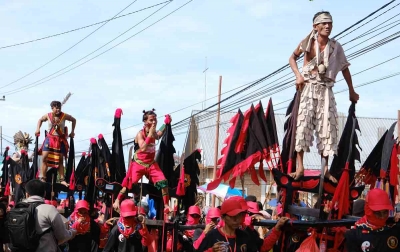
(55, 145)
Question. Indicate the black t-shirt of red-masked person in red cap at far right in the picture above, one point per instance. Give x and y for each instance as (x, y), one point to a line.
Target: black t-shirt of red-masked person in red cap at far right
(364, 240)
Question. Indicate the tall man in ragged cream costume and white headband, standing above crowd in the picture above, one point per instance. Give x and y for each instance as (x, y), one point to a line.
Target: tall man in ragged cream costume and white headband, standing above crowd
(323, 59)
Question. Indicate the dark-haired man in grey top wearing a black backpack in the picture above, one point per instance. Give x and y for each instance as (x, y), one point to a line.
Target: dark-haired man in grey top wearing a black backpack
(34, 226)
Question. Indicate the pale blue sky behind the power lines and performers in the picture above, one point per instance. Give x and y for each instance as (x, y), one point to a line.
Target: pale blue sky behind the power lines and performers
(162, 67)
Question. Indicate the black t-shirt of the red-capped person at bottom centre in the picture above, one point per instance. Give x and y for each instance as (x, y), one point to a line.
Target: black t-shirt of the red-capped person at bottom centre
(241, 240)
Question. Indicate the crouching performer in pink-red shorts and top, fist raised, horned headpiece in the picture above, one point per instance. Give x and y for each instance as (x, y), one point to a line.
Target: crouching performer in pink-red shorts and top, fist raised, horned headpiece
(144, 163)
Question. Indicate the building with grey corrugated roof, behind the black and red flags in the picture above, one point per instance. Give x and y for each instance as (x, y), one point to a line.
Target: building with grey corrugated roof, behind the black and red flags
(202, 131)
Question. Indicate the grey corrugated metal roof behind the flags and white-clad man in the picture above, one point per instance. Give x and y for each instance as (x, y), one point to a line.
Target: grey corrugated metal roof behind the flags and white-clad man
(203, 135)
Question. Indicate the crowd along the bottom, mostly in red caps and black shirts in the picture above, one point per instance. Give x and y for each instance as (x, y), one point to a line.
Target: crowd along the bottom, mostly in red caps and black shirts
(232, 226)
